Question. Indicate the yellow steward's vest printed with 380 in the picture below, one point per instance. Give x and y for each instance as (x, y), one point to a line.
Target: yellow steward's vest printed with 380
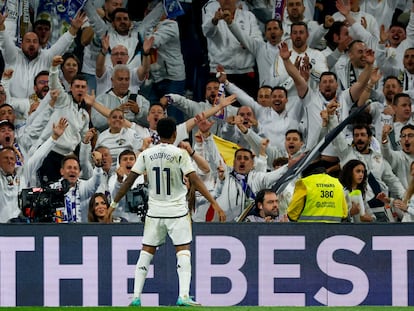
(325, 200)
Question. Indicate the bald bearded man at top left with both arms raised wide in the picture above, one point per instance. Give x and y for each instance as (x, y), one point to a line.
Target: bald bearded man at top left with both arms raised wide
(30, 59)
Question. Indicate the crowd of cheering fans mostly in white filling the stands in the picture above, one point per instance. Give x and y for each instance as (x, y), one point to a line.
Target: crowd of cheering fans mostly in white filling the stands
(76, 108)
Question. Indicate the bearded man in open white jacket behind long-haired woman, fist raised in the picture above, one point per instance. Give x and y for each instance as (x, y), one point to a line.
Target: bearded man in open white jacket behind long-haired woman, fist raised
(381, 178)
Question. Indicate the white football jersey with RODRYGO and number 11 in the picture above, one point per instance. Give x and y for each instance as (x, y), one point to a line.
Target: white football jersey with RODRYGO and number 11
(165, 166)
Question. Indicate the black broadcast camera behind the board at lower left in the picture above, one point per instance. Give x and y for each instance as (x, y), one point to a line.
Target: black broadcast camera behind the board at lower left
(41, 204)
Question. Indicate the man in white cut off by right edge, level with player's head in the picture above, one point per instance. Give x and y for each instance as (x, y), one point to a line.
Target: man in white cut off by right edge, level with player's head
(400, 160)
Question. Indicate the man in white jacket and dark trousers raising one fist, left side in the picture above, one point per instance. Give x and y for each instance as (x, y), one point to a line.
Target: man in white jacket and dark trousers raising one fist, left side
(71, 106)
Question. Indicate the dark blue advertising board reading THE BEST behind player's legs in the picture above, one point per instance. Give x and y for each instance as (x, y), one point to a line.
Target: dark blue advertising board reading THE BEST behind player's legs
(282, 264)
